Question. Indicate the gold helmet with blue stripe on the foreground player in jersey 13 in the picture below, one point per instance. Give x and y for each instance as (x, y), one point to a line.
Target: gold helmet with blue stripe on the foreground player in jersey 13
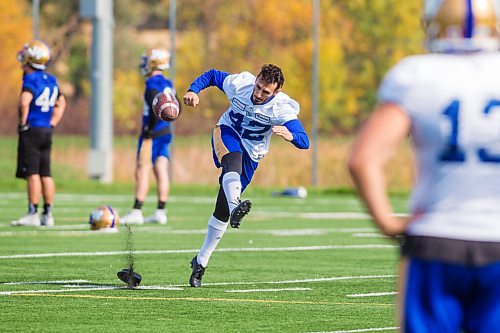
(462, 25)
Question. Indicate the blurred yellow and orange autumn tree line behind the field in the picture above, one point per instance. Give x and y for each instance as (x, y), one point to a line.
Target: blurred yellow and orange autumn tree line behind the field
(358, 41)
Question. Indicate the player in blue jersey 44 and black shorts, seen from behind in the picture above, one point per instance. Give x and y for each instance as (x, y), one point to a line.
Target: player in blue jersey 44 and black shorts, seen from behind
(41, 107)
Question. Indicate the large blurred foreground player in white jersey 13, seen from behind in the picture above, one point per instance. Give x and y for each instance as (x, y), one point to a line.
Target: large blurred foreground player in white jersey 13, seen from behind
(449, 104)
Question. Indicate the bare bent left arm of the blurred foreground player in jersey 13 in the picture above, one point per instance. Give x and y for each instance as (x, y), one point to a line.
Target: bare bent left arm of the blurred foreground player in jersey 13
(373, 148)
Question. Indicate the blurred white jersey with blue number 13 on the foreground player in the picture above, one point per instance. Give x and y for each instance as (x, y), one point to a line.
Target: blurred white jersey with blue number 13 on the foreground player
(454, 105)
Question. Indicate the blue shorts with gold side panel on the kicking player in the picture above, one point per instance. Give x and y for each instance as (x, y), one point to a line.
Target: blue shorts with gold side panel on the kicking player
(225, 140)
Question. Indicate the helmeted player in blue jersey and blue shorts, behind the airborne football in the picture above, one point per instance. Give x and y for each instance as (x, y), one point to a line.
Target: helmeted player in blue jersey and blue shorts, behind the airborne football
(154, 141)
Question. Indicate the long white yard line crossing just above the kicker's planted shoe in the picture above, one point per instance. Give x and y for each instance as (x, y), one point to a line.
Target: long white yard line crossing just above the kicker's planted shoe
(241, 249)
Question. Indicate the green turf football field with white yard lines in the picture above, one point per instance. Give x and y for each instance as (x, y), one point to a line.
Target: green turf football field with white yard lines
(295, 265)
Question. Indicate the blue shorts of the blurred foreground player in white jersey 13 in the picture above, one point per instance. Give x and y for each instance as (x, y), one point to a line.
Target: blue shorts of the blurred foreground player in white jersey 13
(443, 297)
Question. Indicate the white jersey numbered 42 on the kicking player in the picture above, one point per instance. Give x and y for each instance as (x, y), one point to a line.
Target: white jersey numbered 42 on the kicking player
(253, 122)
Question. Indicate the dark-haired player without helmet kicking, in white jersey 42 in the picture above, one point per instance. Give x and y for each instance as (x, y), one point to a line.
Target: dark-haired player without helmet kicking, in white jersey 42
(258, 108)
